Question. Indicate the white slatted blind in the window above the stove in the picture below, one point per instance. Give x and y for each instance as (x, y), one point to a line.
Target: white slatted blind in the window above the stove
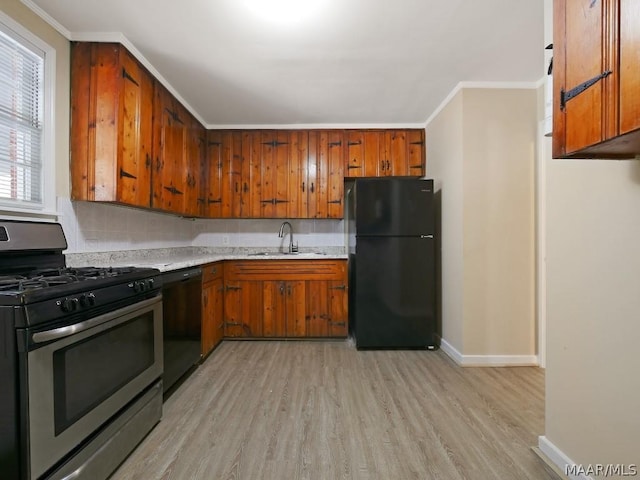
(21, 122)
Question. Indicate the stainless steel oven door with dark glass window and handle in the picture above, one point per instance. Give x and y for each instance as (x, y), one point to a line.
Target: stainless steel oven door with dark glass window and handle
(83, 374)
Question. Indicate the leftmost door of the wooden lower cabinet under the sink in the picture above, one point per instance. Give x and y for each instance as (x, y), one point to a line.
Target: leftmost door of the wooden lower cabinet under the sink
(243, 308)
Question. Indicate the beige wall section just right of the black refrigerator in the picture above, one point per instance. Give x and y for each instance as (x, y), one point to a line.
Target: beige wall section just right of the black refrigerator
(481, 154)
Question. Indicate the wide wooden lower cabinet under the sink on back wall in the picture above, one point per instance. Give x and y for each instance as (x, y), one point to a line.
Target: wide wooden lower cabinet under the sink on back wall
(286, 298)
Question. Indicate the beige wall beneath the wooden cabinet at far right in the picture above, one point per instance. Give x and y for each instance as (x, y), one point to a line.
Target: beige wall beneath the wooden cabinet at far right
(593, 310)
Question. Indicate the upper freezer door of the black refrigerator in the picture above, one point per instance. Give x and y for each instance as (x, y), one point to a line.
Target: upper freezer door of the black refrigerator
(394, 206)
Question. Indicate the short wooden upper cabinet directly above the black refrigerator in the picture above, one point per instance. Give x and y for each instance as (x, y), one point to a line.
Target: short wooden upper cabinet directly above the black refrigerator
(381, 153)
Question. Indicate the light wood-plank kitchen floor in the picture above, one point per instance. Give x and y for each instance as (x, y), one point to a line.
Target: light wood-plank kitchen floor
(323, 410)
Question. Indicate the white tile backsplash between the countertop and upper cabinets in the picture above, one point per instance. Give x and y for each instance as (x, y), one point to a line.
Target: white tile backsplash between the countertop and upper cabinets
(97, 227)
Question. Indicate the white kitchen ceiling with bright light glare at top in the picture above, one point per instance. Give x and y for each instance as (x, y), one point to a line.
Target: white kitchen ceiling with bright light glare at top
(351, 62)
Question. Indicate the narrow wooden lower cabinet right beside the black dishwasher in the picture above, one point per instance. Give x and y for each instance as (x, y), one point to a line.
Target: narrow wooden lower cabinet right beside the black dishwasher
(212, 306)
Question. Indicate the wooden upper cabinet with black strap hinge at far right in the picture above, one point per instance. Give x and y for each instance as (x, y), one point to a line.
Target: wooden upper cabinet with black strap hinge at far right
(596, 68)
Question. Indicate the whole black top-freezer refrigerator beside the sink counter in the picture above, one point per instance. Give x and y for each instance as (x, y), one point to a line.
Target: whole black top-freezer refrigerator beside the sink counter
(392, 276)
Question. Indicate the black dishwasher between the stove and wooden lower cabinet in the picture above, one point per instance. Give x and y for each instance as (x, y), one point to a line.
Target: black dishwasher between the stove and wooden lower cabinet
(182, 318)
